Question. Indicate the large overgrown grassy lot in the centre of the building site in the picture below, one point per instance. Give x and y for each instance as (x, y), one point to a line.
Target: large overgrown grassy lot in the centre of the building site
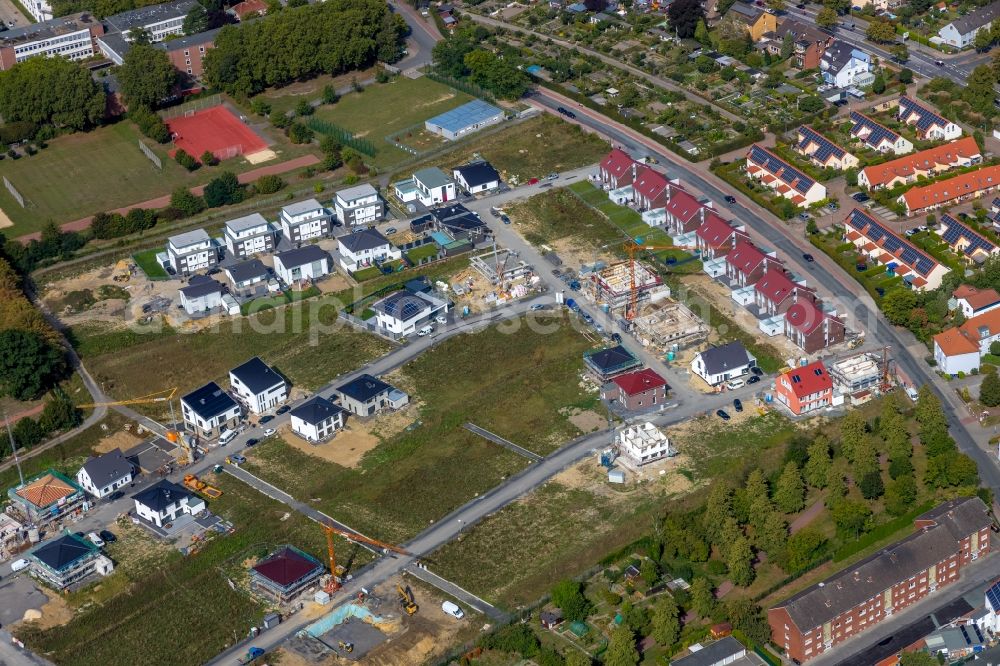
(511, 384)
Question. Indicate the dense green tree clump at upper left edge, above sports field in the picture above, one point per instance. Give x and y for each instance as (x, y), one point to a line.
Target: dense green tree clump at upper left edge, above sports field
(51, 91)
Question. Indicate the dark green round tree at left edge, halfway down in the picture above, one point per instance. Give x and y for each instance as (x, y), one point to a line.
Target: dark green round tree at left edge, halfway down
(29, 364)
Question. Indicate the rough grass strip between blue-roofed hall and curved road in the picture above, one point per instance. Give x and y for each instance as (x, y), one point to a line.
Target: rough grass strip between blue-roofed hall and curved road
(530, 149)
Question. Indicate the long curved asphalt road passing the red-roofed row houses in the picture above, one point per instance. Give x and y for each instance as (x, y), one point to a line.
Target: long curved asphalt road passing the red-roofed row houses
(829, 279)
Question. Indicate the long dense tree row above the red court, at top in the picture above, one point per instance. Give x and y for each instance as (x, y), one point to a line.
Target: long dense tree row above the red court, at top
(327, 38)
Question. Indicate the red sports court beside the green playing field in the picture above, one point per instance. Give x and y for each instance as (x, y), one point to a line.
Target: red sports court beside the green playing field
(215, 129)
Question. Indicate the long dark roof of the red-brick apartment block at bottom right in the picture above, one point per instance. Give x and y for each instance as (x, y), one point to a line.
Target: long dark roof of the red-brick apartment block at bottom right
(950, 522)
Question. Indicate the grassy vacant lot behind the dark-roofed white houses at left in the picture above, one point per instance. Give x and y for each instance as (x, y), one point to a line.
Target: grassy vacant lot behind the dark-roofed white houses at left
(132, 365)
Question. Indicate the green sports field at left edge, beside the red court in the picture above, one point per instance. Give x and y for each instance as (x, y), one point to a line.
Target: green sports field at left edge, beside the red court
(89, 172)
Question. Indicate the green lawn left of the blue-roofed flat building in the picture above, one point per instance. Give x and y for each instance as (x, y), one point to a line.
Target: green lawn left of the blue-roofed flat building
(385, 109)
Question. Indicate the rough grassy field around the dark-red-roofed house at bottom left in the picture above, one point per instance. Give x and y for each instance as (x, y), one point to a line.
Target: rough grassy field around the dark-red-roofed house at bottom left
(175, 609)
